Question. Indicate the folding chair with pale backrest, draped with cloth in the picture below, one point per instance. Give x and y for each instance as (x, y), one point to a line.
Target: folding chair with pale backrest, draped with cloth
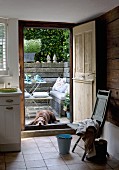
(98, 114)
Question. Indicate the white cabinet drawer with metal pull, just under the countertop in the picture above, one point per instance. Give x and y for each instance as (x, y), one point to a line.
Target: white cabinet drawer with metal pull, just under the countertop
(9, 100)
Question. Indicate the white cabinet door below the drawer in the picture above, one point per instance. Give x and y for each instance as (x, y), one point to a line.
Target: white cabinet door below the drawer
(9, 124)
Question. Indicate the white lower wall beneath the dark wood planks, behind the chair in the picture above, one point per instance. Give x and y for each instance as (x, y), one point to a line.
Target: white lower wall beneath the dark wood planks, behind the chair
(111, 134)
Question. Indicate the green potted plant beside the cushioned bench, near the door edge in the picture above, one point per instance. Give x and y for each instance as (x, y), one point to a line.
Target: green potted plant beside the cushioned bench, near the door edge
(66, 105)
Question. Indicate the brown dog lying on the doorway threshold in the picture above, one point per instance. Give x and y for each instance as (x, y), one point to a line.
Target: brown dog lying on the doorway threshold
(44, 117)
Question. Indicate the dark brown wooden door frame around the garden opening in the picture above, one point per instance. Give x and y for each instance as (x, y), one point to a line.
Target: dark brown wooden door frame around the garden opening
(22, 26)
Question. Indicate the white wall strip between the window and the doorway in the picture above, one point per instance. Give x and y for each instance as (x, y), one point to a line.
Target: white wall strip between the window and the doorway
(13, 54)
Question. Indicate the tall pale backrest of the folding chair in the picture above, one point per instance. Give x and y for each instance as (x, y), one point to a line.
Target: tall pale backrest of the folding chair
(100, 108)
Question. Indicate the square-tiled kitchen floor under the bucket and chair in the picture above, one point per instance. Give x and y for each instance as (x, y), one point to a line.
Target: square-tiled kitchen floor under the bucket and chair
(42, 153)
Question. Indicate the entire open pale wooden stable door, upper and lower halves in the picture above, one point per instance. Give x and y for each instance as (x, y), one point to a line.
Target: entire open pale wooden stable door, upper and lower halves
(84, 71)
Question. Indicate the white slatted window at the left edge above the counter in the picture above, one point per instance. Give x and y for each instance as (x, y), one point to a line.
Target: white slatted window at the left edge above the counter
(3, 47)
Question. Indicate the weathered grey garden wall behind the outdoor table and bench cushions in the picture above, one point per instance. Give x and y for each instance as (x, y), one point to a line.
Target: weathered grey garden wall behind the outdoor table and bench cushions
(48, 71)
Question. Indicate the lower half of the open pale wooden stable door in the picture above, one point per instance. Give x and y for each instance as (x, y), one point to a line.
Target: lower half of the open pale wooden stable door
(82, 111)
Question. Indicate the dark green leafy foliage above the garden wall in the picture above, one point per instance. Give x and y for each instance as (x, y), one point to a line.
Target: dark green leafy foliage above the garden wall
(53, 41)
